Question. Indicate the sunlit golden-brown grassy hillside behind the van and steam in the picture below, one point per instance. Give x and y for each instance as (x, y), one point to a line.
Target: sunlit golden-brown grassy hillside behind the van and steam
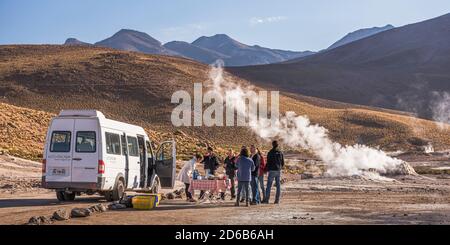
(36, 82)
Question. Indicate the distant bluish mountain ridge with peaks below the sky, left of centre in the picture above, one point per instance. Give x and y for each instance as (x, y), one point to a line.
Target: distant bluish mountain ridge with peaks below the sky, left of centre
(204, 49)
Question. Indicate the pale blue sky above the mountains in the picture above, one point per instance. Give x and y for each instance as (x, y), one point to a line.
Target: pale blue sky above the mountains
(289, 24)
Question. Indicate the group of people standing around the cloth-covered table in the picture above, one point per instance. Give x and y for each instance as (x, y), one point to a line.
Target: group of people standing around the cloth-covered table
(248, 168)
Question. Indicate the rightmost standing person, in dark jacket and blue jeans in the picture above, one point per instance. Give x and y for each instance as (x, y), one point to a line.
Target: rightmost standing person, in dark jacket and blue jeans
(275, 163)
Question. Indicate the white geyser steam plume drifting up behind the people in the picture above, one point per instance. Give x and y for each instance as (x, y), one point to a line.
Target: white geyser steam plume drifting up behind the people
(297, 131)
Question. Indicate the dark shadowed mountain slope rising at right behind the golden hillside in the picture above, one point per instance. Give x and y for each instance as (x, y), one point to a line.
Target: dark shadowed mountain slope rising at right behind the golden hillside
(397, 69)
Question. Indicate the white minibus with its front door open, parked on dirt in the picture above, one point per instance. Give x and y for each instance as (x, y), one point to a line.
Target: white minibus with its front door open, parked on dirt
(87, 153)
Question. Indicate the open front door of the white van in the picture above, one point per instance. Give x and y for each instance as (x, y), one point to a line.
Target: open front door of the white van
(166, 163)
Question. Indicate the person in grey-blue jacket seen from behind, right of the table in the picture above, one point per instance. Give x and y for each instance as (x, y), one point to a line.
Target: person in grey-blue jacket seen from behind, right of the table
(245, 167)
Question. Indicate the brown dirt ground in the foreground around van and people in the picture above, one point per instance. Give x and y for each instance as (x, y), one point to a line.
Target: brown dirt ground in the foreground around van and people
(316, 201)
